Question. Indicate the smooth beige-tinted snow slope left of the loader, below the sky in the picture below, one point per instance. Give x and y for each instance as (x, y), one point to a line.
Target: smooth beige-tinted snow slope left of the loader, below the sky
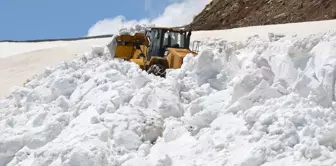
(16, 68)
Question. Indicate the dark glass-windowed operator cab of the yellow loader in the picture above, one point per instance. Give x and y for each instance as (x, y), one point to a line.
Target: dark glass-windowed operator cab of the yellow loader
(163, 38)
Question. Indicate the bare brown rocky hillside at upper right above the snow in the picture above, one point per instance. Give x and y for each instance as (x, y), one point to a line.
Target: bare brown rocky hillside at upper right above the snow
(225, 14)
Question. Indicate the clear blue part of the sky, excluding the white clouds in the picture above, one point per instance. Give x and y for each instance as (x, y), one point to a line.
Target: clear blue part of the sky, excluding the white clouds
(38, 19)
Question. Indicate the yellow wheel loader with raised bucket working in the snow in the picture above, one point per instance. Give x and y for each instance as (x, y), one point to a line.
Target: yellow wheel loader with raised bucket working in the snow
(156, 50)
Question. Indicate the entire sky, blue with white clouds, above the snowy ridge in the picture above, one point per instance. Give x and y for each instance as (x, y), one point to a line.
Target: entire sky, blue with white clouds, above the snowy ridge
(42, 19)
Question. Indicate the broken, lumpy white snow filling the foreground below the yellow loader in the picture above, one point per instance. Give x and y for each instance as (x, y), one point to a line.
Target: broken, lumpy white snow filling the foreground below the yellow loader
(261, 102)
